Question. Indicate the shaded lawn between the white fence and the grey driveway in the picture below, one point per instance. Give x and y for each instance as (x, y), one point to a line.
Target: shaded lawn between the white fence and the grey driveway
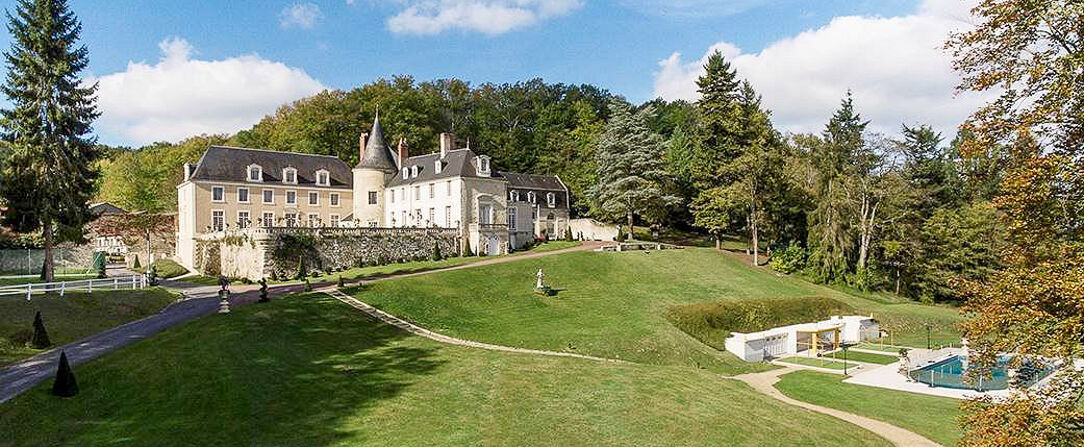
(72, 317)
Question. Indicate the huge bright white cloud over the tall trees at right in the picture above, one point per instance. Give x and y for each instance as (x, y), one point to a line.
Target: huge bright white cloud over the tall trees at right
(897, 68)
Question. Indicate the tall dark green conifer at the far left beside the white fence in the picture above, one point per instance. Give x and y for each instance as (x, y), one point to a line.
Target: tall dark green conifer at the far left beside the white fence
(50, 175)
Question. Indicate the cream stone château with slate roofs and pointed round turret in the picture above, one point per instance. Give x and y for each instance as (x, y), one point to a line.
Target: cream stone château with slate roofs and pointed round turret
(237, 189)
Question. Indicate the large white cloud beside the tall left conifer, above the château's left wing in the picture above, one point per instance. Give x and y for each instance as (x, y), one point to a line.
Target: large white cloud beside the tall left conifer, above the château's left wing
(180, 97)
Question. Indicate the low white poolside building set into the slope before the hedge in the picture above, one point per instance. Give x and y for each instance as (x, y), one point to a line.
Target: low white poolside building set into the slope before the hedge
(789, 340)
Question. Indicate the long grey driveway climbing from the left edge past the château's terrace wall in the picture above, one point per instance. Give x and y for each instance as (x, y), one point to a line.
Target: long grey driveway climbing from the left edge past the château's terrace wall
(201, 301)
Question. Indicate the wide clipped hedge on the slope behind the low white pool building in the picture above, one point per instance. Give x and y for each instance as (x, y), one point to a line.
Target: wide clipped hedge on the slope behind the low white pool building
(713, 323)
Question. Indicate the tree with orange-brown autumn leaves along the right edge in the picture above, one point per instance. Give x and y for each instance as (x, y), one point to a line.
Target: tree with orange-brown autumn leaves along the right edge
(1033, 56)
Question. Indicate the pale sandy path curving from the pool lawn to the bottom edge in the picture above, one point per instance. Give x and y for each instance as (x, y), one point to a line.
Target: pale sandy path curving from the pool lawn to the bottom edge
(765, 382)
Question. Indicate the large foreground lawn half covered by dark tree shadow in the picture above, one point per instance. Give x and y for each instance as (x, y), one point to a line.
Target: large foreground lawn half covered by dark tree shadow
(308, 371)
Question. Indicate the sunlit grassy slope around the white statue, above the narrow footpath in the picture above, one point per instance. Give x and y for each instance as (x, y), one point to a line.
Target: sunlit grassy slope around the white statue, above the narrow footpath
(614, 304)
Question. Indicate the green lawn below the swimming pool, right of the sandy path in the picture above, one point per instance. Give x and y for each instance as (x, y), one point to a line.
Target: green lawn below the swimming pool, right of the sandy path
(931, 416)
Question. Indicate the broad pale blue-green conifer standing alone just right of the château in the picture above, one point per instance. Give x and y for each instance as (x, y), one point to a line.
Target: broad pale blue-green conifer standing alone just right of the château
(631, 170)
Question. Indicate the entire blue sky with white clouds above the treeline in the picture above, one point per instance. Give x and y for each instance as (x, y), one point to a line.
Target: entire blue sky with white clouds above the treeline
(169, 70)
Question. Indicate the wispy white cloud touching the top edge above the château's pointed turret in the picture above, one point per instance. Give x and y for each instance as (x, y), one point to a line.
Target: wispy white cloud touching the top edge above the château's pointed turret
(487, 17)
